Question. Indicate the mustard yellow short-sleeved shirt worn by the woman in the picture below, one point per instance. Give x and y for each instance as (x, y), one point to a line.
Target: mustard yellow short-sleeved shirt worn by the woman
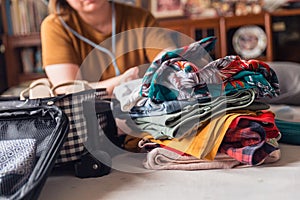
(135, 45)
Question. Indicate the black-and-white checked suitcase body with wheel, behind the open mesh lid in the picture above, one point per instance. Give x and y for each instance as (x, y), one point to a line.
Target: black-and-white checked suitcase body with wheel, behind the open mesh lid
(100, 140)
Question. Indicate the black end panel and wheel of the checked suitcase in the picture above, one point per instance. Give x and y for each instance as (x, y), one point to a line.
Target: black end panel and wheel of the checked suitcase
(96, 159)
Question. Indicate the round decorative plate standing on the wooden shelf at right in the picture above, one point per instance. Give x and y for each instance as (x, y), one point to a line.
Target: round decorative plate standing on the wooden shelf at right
(249, 41)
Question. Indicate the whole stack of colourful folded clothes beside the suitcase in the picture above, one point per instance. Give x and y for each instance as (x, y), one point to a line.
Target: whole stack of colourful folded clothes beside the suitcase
(208, 116)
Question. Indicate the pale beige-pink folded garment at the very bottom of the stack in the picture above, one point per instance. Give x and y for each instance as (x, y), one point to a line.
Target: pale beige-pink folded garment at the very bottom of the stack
(164, 159)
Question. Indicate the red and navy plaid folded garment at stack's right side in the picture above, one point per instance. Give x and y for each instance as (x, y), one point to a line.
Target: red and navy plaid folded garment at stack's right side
(251, 140)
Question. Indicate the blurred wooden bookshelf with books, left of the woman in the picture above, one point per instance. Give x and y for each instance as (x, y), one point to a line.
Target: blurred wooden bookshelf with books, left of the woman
(20, 36)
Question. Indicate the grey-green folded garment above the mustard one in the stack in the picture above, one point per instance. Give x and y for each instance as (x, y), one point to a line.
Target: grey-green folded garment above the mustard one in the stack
(192, 117)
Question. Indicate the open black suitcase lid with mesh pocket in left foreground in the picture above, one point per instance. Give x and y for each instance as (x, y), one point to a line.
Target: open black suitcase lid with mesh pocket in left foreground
(30, 140)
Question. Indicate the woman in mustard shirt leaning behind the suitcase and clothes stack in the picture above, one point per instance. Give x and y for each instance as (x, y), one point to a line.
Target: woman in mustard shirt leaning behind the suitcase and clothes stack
(119, 28)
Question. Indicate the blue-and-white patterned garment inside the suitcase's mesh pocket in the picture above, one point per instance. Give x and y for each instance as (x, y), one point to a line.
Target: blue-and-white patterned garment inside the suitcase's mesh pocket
(17, 160)
